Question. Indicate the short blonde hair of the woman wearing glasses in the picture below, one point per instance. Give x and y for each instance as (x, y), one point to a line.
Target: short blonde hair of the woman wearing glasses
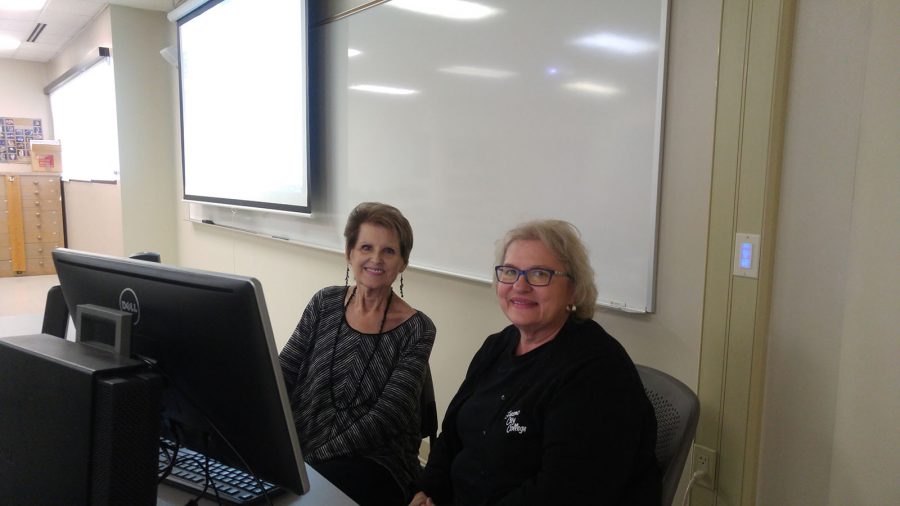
(563, 240)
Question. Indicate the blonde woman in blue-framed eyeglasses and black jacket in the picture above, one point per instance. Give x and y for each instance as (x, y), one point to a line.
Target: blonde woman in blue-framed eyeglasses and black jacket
(552, 410)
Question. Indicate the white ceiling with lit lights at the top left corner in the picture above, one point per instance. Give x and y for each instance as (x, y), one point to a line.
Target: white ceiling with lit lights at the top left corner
(64, 19)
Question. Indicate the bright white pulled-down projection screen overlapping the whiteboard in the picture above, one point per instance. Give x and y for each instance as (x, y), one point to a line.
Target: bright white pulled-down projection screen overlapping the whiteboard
(243, 84)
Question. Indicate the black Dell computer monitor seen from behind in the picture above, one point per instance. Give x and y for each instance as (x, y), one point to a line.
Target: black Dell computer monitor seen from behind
(210, 337)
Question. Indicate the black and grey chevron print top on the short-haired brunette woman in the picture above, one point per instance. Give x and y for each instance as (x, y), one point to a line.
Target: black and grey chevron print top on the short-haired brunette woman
(376, 416)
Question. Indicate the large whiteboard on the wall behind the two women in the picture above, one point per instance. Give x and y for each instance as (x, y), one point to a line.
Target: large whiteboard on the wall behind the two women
(538, 110)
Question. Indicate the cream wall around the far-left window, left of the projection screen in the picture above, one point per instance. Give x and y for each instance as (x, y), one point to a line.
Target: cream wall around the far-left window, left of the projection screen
(137, 213)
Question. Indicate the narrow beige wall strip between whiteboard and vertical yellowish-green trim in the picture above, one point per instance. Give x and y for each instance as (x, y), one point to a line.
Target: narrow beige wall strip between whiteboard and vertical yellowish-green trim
(670, 338)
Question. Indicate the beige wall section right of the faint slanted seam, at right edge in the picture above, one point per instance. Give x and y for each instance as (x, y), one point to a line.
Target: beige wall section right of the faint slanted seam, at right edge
(866, 449)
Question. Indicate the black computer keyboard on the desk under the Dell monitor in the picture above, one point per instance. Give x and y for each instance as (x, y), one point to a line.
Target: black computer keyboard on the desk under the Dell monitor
(234, 485)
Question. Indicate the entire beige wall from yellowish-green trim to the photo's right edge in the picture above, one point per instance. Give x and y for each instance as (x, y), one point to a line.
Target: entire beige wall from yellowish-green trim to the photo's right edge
(829, 426)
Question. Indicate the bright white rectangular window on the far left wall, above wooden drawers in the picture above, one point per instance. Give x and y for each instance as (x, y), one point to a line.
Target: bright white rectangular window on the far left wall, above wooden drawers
(84, 120)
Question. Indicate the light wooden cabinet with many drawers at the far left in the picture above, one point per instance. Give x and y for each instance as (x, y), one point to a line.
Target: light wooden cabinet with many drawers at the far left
(32, 223)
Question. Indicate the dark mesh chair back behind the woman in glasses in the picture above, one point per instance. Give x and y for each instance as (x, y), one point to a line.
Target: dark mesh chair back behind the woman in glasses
(677, 410)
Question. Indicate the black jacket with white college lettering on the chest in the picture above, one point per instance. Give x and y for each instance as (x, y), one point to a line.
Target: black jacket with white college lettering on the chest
(570, 424)
